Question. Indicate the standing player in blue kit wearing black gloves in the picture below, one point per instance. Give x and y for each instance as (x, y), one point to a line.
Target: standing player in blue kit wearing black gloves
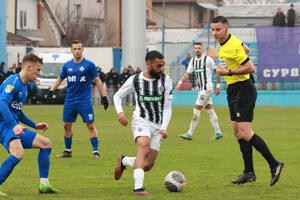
(79, 73)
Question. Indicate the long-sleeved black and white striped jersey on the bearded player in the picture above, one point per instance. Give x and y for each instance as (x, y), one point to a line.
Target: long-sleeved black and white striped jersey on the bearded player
(150, 94)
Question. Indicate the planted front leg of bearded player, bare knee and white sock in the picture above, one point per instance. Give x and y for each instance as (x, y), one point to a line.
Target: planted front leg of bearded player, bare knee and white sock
(143, 148)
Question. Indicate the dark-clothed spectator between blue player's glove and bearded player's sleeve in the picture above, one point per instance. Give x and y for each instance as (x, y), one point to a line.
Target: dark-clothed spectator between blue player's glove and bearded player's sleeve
(112, 83)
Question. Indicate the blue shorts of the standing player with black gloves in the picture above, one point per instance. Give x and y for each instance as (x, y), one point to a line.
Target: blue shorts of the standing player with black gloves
(85, 110)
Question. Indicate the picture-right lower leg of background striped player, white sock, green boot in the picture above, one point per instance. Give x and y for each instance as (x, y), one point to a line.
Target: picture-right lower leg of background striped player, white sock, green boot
(213, 120)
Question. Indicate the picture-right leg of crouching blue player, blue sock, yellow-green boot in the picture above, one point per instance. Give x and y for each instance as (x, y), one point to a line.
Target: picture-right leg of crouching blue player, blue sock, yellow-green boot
(44, 144)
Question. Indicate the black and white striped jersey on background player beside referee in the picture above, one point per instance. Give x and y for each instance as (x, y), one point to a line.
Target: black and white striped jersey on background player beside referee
(202, 67)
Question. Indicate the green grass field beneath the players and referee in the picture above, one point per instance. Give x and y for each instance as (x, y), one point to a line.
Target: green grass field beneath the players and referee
(207, 166)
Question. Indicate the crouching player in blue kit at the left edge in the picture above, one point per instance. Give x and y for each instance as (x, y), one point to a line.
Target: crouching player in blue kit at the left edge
(14, 136)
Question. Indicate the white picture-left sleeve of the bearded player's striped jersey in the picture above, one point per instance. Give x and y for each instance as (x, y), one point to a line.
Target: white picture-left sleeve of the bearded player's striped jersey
(126, 88)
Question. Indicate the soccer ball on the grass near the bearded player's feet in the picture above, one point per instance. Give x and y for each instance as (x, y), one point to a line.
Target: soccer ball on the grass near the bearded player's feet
(175, 181)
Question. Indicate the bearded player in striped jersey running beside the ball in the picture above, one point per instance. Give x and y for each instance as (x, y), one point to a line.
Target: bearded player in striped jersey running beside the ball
(153, 92)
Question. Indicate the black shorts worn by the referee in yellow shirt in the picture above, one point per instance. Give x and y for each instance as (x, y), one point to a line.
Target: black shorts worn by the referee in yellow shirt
(241, 97)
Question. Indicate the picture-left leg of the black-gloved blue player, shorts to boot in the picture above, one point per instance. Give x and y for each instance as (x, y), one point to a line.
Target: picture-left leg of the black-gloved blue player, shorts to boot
(69, 116)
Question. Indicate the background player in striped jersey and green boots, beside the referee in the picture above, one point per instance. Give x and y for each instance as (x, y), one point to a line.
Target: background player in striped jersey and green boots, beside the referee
(202, 66)
